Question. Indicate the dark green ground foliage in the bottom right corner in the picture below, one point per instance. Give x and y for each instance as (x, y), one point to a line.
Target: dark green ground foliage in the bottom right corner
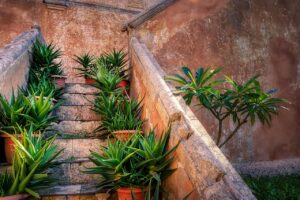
(275, 188)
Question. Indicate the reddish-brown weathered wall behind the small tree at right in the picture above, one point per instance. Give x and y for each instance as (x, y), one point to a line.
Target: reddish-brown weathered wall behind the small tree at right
(246, 38)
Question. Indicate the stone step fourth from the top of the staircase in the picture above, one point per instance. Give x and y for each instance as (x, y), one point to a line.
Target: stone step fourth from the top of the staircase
(77, 127)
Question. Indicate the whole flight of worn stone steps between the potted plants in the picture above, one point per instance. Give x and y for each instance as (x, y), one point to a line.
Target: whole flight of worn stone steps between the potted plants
(76, 126)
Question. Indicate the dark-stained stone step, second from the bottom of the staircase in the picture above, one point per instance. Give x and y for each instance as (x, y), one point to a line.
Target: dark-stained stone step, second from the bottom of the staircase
(70, 173)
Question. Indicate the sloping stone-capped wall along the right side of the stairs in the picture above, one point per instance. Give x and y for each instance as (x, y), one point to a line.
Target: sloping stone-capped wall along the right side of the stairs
(201, 167)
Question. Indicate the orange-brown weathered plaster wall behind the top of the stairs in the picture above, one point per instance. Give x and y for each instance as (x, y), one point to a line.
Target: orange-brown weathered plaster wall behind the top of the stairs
(75, 29)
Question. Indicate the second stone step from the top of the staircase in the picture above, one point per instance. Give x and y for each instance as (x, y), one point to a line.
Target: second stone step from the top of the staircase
(78, 99)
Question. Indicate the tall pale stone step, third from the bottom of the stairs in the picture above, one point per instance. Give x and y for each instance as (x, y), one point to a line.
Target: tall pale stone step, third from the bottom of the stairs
(78, 148)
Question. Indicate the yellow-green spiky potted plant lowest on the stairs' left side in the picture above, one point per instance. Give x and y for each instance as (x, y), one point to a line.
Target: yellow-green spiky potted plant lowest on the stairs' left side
(33, 157)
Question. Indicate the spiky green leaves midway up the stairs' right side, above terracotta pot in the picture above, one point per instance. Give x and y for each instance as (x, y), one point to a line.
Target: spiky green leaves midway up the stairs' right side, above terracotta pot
(117, 112)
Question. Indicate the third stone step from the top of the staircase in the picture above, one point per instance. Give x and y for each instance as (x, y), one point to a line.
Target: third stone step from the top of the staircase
(76, 113)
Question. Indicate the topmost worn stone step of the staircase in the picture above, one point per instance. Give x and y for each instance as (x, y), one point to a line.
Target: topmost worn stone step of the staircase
(78, 88)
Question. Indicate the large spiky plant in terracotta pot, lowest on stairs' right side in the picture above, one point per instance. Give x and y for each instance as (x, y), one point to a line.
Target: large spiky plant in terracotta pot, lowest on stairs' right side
(134, 167)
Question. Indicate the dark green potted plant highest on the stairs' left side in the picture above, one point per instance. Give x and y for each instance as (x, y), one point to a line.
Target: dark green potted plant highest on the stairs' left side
(44, 64)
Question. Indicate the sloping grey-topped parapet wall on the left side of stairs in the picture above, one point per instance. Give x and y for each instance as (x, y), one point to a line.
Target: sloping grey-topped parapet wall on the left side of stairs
(14, 62)
